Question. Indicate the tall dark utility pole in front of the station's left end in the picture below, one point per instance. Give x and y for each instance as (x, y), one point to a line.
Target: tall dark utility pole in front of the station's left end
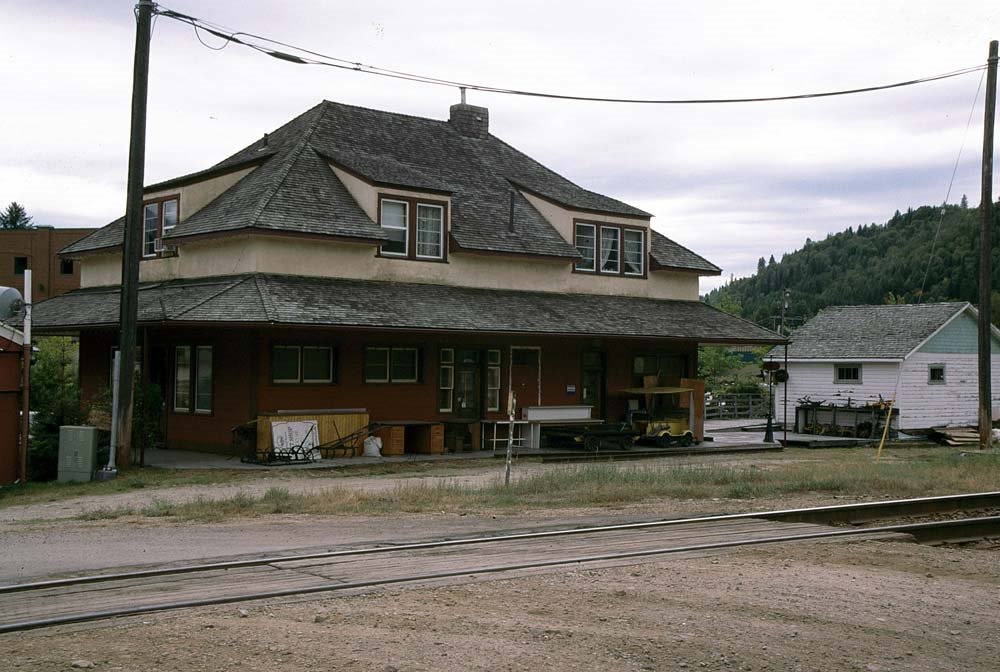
(132, 244)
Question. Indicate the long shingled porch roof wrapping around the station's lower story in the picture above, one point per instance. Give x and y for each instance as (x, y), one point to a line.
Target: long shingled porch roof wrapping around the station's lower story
(335, 302)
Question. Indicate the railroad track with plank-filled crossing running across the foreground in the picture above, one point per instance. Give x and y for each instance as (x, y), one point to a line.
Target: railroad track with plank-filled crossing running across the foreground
(79, 599)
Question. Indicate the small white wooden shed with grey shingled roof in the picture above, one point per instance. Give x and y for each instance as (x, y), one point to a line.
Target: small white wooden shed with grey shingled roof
(922, 356)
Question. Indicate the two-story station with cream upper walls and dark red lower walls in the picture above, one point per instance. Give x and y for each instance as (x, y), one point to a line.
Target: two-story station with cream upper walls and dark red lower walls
(416, 268)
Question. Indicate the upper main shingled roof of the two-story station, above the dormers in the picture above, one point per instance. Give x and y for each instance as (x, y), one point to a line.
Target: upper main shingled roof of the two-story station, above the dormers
(293, 187)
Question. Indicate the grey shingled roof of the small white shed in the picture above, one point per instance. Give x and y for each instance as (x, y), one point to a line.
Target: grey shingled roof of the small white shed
(869, 332)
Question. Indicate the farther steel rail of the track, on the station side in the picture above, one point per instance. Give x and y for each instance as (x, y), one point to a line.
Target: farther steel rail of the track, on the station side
(833, 512)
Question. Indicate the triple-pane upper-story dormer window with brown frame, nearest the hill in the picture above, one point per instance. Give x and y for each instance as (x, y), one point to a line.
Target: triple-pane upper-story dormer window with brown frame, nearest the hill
(610, 250)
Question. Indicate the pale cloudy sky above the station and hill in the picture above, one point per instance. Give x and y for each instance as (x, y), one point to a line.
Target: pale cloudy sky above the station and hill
(732, 182)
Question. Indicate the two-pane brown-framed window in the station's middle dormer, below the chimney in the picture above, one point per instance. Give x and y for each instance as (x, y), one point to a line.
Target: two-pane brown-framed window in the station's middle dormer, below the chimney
(415, 220)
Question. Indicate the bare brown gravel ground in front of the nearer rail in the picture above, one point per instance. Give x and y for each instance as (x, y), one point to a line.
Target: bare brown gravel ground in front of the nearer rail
(866, 606)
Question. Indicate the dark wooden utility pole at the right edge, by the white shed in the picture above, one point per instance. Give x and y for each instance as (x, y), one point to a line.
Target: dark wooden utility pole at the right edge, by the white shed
(985, 248)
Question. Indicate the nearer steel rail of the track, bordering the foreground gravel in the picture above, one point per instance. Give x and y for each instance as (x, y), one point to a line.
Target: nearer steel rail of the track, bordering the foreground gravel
(991, 522)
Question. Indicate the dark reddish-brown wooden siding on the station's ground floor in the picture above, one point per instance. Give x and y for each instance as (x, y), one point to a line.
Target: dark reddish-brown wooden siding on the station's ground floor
(243, 386)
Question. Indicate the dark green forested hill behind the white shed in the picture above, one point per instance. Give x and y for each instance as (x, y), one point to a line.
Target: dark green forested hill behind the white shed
(871, 264)
